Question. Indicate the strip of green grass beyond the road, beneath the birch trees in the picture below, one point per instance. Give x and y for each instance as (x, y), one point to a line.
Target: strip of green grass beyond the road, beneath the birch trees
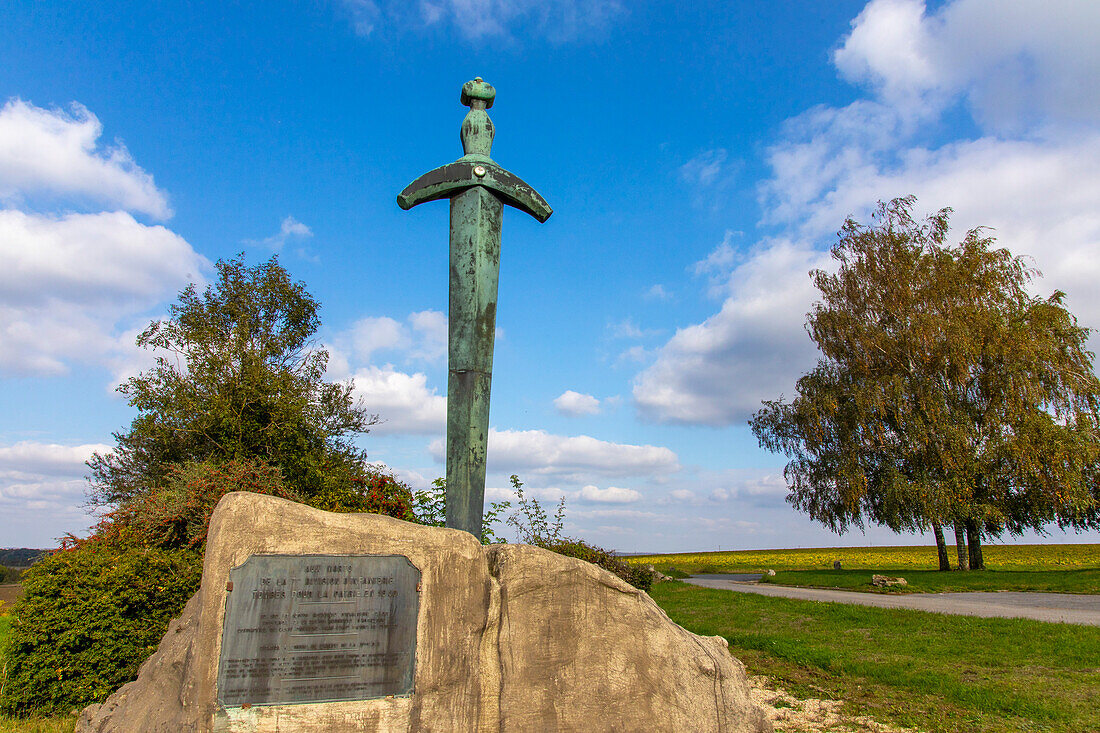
(933, 582)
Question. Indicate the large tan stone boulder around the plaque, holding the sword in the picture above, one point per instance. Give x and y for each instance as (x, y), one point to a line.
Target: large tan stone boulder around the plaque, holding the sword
(510, 638)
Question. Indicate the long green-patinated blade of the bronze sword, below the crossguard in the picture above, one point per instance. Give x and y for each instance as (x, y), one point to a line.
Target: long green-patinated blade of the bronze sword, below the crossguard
(476, 265)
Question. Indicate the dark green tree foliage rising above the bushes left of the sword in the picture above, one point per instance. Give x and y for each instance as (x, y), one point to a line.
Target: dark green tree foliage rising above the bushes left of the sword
(237, 377)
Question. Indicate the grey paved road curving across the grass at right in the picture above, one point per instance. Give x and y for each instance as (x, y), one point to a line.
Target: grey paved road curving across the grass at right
(1059, 608)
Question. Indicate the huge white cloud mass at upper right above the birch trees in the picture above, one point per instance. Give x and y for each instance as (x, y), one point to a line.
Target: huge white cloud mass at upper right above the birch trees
(1032, 84)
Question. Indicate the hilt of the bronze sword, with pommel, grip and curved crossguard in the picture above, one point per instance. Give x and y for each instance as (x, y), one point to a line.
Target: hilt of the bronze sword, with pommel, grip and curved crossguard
(476, 168)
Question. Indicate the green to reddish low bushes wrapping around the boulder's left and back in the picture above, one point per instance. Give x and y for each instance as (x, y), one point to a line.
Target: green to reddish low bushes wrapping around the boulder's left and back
(94, 611)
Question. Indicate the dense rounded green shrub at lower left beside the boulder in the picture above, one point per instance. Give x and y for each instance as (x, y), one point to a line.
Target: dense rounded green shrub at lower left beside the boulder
(91, 615)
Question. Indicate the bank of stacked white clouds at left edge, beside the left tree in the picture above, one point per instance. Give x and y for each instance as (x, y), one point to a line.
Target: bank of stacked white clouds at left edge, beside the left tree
(74, 285)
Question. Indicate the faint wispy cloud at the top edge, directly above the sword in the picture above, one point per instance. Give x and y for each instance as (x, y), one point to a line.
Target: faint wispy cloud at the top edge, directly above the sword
(558, 21)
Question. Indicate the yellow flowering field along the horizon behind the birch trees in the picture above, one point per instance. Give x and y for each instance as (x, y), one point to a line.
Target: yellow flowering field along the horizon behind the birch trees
(998, 557)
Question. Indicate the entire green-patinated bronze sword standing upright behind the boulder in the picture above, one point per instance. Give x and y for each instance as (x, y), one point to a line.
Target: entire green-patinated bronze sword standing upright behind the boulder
(479, 189)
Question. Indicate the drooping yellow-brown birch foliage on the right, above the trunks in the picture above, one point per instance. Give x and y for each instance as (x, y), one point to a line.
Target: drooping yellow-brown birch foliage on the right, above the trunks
(945, 393)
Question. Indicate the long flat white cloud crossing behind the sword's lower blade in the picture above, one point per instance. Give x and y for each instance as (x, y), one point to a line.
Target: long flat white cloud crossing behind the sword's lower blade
(577, 460)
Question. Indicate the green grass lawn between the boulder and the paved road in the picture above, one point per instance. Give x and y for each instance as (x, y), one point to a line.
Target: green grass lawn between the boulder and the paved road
(923, 671)
